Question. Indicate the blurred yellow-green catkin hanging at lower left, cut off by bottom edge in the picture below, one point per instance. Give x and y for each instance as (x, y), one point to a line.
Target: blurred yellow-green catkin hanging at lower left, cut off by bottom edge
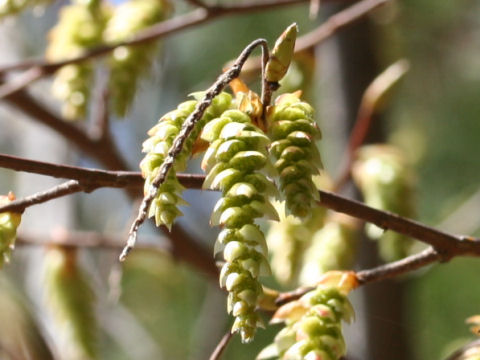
(71, 302)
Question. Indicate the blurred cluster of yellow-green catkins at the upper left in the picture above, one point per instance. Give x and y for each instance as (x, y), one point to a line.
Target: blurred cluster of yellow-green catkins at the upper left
(84, 25)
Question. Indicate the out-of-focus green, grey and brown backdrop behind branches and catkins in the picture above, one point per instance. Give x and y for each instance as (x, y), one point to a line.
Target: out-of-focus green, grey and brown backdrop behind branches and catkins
(154, 307)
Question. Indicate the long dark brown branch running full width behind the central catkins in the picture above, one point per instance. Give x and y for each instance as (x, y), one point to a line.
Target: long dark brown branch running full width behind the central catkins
(447, 245)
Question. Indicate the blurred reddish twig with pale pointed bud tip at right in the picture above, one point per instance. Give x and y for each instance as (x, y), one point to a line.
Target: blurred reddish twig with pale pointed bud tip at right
(372, 99)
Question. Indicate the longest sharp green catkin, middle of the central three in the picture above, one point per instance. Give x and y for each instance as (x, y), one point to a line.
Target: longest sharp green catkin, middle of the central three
(234, 161)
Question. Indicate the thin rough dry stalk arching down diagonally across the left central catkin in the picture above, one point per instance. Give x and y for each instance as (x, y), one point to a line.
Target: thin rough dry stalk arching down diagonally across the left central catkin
(183, 135)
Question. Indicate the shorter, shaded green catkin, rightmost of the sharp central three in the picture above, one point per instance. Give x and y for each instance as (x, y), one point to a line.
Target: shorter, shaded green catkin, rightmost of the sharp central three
(293, 132)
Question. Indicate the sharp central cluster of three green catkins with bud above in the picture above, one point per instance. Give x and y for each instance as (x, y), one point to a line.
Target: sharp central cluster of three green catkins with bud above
(243, 159)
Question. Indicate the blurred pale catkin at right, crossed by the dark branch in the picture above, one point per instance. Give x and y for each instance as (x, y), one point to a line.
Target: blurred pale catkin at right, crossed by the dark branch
(385, 180)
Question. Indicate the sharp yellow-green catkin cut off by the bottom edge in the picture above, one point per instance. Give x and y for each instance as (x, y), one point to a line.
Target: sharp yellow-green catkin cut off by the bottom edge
(313, 327)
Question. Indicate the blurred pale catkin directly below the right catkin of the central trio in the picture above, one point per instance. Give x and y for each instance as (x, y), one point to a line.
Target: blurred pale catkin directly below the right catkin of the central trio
(287, 241)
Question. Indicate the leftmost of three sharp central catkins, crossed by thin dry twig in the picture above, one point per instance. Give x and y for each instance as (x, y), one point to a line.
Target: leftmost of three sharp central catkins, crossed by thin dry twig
(165, 205)
